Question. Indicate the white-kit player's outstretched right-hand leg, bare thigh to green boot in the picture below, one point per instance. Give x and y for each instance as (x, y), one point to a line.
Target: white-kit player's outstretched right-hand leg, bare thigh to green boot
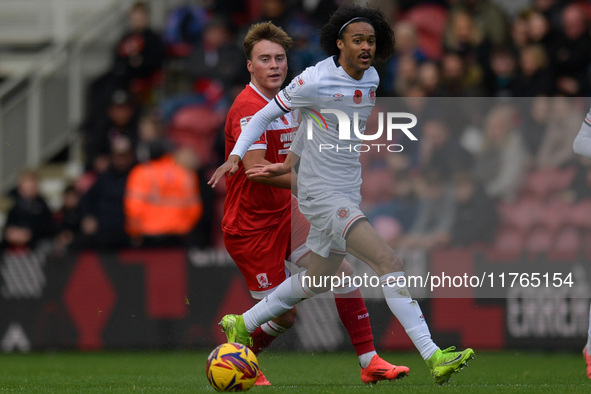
(365, 243)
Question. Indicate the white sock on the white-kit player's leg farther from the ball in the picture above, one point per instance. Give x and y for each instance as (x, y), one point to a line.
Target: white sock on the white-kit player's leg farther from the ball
(408, 313)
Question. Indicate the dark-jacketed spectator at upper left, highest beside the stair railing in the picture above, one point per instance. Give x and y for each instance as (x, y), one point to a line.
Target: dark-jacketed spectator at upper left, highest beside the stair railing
(140, 52)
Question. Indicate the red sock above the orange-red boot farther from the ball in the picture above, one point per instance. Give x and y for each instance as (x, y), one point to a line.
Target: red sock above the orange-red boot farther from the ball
(355, 318)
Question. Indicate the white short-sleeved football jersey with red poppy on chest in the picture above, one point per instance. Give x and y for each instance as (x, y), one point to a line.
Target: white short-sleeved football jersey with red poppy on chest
(329, 164)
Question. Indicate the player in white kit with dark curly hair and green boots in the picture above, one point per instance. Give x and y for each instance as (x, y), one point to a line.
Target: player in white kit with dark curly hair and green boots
(329, 180)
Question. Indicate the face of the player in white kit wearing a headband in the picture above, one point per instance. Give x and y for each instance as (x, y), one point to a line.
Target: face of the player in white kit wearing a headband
(358, 46)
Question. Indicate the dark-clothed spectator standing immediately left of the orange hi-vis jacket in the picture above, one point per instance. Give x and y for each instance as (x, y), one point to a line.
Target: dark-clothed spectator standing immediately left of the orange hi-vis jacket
(102, 206)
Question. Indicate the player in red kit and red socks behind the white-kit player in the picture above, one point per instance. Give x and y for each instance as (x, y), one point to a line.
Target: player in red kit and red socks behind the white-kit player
(257, 221)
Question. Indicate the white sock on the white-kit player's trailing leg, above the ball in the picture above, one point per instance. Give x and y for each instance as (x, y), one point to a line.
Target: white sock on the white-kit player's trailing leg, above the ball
(285, 296)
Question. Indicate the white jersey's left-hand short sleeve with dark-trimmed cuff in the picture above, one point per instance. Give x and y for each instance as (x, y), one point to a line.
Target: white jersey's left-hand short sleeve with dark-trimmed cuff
(300, 92)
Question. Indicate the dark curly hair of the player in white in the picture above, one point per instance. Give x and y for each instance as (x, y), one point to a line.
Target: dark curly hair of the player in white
(384, 34)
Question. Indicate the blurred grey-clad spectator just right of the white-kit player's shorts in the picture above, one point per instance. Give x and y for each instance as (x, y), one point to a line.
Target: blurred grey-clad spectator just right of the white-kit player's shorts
(435, 214)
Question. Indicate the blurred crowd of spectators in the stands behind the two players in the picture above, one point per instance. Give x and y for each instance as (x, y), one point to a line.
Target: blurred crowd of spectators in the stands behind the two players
(153, 129)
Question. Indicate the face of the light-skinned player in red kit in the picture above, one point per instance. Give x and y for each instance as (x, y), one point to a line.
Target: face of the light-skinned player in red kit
(268, 67)
